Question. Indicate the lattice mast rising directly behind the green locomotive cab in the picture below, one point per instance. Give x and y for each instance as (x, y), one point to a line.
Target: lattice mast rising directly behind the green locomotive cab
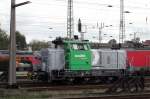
(70, 20)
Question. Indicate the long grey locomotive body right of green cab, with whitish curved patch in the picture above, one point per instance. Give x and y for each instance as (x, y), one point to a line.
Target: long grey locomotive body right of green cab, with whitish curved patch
(108, 59)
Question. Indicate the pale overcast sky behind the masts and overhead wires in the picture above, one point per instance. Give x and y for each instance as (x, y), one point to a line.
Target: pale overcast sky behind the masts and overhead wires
(35, 19)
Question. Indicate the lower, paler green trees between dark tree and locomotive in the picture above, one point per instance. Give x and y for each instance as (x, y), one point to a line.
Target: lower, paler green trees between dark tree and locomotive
(37, 45)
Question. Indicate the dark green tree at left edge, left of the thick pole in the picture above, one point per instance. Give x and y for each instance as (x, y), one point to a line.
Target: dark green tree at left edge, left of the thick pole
(4, 40)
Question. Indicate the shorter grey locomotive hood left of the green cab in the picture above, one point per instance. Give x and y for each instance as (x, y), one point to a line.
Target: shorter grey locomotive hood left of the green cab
(53, 59)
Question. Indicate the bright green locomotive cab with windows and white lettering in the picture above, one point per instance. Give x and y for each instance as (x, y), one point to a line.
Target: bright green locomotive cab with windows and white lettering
(77, 55)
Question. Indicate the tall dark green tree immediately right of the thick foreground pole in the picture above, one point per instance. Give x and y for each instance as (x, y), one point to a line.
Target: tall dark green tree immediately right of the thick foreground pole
(20, 41)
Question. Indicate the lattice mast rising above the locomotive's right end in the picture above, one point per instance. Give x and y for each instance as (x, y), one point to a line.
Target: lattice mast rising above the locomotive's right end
(122, 23)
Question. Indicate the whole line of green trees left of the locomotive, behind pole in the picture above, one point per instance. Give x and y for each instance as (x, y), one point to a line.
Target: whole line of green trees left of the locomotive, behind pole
(21, 43)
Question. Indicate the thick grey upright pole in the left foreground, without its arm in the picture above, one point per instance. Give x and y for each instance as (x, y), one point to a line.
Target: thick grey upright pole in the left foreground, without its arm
(12, 53)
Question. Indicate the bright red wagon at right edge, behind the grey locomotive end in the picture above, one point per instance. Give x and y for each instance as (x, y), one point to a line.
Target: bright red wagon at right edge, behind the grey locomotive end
(138, 58)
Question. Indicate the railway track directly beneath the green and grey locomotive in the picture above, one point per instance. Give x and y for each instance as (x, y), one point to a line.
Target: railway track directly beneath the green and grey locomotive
(39, 86)
